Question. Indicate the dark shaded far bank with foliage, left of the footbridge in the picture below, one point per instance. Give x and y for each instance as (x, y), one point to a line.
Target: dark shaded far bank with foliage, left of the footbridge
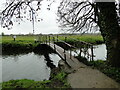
(16, 47)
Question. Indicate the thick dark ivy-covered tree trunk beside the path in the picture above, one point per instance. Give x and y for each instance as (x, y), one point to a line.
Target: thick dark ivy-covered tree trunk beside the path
(110, 31)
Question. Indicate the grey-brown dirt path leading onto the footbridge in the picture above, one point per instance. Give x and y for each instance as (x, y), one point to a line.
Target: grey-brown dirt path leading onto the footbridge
(86, 77)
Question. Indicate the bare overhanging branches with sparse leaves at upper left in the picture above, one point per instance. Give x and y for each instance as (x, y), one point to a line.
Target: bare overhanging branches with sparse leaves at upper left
(19, 10)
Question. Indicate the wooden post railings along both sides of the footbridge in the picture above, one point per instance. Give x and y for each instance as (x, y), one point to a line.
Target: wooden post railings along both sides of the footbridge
(84, 47)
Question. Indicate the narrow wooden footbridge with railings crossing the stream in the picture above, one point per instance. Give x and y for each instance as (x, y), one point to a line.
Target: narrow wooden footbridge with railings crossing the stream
(66, 55)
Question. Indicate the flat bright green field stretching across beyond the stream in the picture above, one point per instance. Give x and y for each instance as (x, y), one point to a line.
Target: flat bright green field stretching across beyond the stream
(95, 39)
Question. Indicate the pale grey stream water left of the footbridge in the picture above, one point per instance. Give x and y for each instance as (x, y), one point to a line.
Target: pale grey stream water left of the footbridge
(28, 66)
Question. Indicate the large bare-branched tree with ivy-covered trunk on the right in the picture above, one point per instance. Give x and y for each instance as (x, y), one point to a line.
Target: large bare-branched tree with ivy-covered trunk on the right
(86, 16)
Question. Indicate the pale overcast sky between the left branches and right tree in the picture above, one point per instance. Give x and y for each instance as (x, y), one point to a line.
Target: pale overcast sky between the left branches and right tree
(49, 24)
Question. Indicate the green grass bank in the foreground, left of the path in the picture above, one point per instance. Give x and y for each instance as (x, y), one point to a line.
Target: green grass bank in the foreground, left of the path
(57, 81)
